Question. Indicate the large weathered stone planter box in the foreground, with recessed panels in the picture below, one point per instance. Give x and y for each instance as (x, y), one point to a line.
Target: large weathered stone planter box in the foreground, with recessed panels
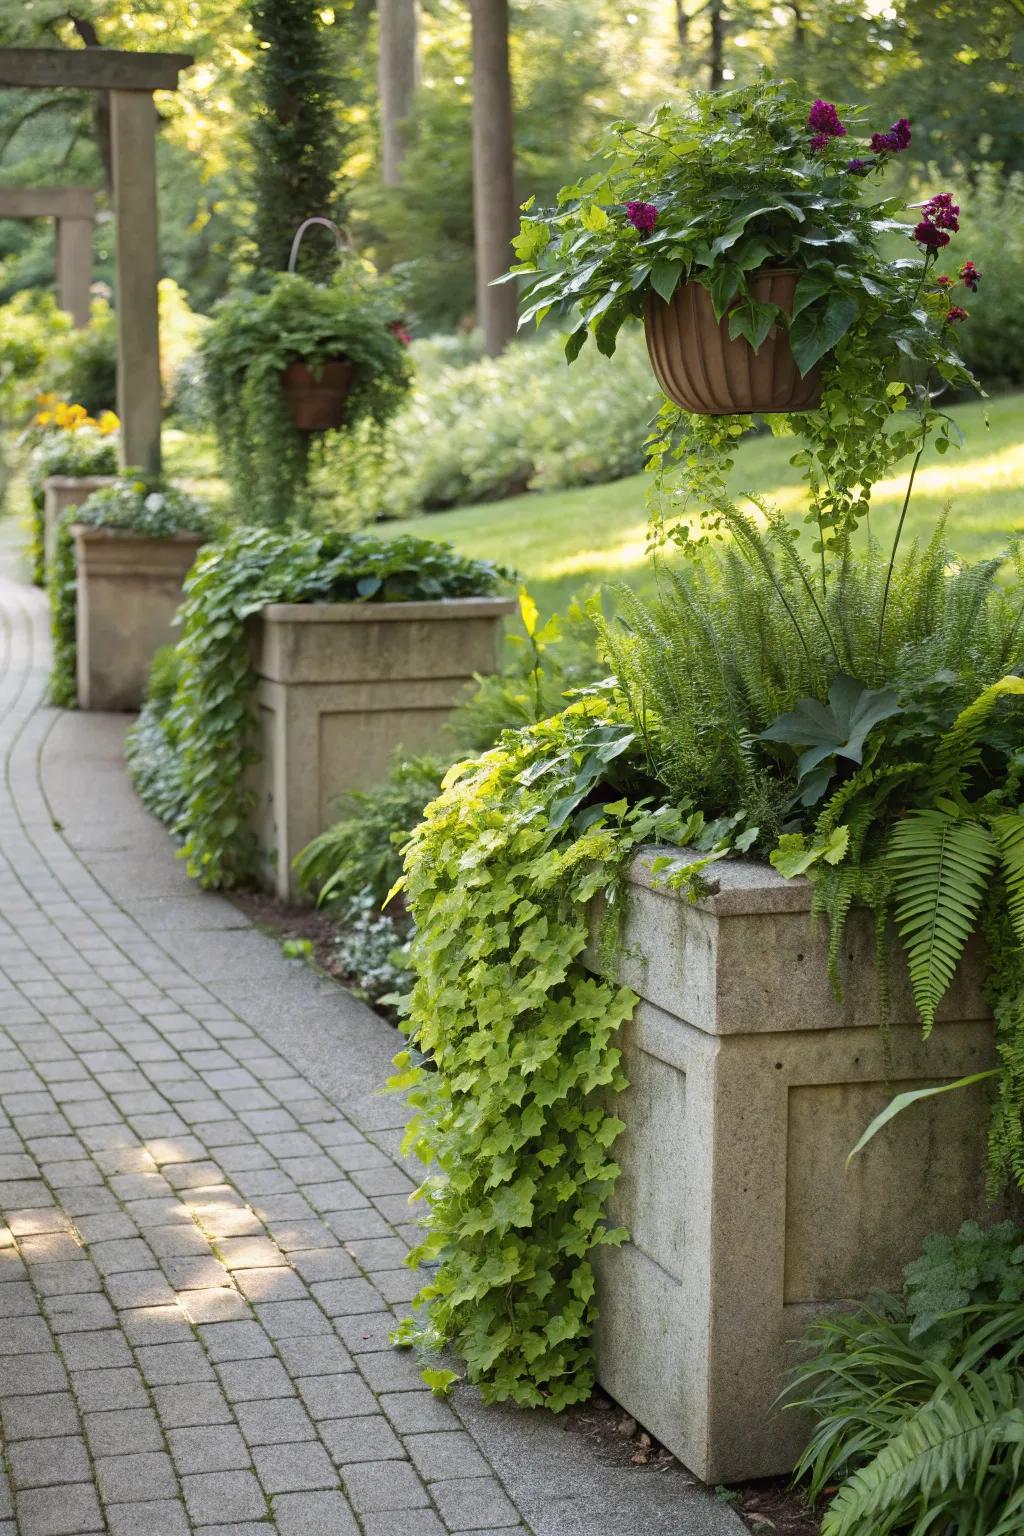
(748, 1088)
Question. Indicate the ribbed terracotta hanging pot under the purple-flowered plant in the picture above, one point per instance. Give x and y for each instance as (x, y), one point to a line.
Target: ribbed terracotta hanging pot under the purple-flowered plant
(705, 372)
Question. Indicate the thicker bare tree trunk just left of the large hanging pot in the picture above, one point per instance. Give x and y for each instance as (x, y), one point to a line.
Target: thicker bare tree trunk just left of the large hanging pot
(495, 208)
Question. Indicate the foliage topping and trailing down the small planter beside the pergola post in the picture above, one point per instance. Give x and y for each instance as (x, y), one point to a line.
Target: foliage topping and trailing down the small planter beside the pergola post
(133, 505)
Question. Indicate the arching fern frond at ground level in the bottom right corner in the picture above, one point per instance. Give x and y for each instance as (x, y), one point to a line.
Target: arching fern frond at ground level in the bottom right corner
(953, 1445)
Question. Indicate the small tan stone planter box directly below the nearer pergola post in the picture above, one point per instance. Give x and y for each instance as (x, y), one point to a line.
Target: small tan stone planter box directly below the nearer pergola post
(130, 592)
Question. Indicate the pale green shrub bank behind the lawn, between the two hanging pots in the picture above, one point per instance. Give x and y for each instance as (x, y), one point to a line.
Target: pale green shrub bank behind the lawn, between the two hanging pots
(517, 423)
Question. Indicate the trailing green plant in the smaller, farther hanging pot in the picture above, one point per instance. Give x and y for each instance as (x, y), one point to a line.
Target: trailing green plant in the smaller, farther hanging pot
(248, 346)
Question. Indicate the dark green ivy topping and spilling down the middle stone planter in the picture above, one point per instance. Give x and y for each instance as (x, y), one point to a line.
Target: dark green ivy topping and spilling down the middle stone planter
(210, 726)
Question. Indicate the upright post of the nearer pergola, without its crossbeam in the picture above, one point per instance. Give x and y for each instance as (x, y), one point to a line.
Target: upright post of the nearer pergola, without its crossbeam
(134, 157)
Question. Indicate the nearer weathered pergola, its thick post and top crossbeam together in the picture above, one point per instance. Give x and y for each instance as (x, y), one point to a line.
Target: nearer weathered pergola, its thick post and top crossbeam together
(131, 81)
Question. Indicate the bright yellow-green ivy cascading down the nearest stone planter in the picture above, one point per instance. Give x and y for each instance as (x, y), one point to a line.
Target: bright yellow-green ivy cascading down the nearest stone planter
(510, 1117)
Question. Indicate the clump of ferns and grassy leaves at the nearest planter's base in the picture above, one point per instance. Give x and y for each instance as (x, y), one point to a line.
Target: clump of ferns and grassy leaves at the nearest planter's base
(920, 1402)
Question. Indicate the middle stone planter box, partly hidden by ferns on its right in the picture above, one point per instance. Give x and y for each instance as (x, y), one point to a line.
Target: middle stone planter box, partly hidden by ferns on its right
(340, 687)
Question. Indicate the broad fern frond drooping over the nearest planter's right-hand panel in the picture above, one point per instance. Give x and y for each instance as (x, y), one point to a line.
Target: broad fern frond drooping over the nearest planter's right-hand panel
(940, 867)
